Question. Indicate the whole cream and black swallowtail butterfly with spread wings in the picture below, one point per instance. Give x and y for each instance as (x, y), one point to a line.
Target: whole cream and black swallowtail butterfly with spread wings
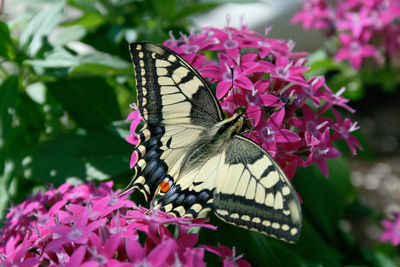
(196, 160)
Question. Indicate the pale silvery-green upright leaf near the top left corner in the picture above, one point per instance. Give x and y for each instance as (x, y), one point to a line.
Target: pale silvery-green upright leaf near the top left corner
(40, 26)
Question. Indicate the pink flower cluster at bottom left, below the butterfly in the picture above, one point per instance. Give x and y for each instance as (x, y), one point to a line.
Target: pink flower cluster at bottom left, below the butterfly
(89, 226)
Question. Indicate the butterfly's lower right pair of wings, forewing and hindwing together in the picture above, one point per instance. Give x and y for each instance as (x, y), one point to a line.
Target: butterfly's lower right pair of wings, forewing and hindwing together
(244, 186)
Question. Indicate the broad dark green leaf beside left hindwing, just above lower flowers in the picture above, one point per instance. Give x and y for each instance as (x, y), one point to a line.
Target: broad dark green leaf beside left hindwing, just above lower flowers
(97, 155)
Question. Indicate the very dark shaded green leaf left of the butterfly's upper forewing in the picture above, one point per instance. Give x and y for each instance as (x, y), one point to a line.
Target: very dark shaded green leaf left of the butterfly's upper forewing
(90, 101)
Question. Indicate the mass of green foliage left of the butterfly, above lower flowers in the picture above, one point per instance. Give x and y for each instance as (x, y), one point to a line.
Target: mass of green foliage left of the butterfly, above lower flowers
(66, 82)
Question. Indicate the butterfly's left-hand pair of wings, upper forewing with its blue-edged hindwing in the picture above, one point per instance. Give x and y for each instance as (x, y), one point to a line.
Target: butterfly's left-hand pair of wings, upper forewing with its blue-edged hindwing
(177, 106)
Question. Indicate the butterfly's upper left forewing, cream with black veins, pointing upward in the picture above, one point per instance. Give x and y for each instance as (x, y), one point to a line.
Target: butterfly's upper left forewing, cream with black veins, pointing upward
(169, 90)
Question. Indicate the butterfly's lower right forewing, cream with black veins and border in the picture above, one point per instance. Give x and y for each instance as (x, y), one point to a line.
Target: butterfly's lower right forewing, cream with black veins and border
(254, 193)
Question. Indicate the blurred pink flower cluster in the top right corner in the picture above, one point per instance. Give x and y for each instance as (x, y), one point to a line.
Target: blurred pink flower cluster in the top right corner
(366, 29)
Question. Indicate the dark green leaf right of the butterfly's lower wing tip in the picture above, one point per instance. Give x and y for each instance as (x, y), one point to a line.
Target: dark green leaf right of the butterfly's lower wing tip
(325, 199)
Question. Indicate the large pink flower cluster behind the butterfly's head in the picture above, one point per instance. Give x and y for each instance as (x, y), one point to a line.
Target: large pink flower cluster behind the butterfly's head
(288, 113)
